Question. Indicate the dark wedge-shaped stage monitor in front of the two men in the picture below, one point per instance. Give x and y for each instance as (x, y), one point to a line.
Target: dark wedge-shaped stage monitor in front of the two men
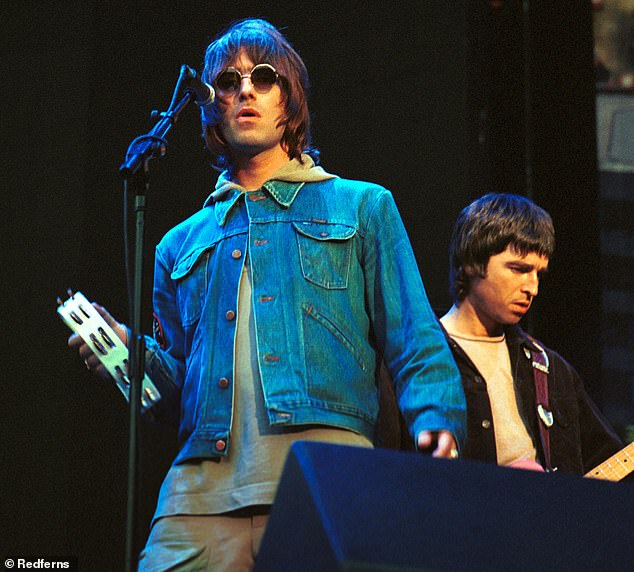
(347, 508)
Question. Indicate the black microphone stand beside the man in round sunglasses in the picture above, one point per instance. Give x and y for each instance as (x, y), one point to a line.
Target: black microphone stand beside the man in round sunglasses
(135, 171)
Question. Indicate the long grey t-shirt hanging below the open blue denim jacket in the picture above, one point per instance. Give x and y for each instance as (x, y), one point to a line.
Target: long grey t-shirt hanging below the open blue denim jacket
(250, 473)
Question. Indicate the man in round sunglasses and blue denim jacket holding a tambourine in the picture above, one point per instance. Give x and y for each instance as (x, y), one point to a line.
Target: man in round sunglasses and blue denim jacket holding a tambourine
(274, 305)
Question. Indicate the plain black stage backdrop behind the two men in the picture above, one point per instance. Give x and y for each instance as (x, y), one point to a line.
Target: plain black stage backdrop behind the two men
(436, 102)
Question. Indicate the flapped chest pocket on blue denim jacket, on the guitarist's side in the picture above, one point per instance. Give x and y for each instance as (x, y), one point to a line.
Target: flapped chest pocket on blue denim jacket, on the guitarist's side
(324, 252)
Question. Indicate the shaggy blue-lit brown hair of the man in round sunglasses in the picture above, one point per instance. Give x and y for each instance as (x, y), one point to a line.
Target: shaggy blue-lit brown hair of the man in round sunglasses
(262, 43)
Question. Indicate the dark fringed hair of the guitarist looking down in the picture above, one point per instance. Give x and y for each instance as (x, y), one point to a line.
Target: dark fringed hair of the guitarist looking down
(487, 227)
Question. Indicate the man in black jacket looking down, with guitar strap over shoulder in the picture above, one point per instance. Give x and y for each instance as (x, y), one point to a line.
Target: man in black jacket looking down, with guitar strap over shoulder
(526, 406)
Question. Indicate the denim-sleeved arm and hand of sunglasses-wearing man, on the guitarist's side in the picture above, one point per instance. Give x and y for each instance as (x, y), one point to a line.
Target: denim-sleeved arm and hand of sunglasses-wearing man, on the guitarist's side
(426, 380)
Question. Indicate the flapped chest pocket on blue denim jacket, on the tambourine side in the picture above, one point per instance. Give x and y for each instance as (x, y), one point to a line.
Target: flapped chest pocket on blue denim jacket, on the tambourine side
(191, 275)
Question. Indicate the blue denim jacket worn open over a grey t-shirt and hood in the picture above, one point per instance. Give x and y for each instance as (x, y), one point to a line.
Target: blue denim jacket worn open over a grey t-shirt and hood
(335, 288)
